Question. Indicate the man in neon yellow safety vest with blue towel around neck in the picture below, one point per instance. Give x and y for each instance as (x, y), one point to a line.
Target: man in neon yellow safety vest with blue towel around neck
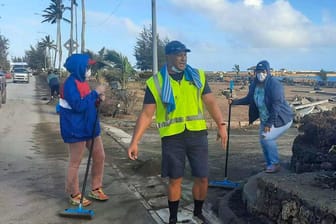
(175, 95)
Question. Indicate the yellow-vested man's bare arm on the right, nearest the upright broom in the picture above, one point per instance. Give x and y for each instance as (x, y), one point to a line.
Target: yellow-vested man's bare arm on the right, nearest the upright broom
(213, 108)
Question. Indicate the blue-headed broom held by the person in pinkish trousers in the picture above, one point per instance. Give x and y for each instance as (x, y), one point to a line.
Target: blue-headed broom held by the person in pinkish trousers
(80, 212)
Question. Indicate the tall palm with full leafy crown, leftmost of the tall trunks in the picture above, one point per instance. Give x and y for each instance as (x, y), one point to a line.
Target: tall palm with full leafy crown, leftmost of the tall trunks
(54, 14)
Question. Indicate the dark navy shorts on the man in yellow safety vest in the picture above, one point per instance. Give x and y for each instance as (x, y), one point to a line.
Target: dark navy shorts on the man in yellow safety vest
(175, 150)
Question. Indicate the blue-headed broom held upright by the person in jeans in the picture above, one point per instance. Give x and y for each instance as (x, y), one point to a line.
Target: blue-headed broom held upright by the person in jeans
(226, 183)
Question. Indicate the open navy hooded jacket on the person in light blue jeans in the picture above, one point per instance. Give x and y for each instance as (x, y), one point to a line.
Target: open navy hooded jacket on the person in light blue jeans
(280, 112)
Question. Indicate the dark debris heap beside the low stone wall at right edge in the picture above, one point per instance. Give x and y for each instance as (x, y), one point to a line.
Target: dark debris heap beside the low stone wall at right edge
(314, 149)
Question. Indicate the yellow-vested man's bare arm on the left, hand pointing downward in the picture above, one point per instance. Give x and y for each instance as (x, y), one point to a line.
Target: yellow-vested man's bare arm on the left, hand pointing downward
(143, 122)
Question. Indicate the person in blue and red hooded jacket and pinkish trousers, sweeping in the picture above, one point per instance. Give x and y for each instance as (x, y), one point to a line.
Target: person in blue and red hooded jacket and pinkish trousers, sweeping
(78, 114)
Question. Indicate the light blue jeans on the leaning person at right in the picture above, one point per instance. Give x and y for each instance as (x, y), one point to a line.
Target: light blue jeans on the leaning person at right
(268, 142)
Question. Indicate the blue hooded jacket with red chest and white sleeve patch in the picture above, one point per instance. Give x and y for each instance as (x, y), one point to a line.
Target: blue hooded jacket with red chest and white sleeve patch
(77, 118)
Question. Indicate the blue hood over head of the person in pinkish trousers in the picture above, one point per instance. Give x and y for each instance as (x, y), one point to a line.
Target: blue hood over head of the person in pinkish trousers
(77, 64)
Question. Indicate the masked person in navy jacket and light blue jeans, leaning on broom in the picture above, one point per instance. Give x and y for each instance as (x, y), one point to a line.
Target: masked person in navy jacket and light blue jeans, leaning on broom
(266, 100)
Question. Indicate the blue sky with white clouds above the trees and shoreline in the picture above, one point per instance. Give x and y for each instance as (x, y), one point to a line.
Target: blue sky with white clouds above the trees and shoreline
(292, 34)
